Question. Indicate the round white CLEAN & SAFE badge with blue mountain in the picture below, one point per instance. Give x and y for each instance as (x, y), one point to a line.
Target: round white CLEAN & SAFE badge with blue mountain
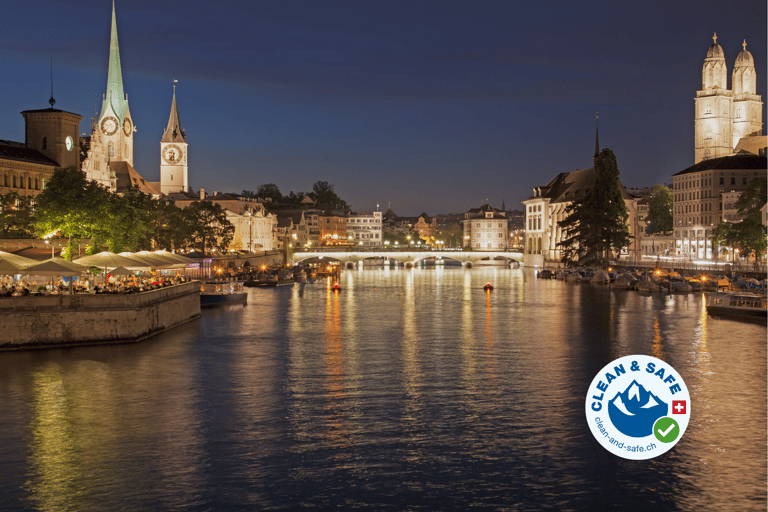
(638, 407)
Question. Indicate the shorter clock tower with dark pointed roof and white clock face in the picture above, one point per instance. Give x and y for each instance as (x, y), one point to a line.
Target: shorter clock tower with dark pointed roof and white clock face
(173, 154)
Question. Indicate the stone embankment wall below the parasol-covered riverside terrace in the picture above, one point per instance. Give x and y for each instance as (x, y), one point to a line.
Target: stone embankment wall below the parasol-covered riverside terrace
(84, 319)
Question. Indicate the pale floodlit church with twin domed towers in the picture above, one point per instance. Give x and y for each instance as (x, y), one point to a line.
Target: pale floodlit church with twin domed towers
(724, 116)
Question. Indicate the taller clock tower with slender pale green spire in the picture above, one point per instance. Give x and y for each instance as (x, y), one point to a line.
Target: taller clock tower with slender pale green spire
(115, 125)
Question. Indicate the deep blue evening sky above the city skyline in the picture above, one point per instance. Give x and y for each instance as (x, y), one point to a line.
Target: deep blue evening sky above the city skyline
(435, 106)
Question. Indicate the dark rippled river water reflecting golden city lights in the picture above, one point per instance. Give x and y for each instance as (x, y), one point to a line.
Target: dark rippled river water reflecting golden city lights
(409, 390)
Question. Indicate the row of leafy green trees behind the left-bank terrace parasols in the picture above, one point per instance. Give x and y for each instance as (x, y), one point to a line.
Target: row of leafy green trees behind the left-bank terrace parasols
(73, 207)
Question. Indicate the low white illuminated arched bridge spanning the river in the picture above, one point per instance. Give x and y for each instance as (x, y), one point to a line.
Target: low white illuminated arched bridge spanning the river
(407, 258)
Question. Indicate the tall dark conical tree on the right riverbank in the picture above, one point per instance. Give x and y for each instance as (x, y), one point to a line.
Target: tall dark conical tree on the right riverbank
(597, 225)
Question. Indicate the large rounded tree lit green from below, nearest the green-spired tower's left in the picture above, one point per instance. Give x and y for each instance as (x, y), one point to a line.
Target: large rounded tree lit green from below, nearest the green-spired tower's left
(72, 207)
